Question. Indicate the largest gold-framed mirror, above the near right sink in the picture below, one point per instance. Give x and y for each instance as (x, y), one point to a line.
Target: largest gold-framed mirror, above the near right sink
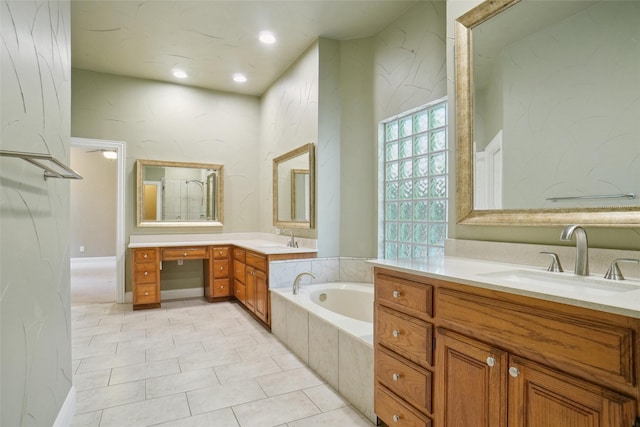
(547, 108)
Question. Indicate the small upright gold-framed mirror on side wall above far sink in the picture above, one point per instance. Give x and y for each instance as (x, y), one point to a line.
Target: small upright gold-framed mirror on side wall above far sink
(294, 188)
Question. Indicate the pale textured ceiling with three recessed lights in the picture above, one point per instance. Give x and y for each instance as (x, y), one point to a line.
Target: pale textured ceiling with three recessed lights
(211, 40)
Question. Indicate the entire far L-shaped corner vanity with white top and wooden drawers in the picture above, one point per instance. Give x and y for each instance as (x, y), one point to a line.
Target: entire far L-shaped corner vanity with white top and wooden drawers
(234, 268)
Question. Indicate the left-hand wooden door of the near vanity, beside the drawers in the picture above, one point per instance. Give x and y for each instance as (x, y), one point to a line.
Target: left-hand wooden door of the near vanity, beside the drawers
(470, 383)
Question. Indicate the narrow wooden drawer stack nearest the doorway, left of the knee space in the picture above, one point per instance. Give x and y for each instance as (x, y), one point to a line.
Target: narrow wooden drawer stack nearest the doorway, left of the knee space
(145, 277)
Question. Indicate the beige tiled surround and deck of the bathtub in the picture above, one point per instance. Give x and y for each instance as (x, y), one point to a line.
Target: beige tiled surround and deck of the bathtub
(337, 347)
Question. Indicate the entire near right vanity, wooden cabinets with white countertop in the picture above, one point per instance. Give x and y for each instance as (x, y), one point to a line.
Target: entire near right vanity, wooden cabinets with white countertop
(460, 342)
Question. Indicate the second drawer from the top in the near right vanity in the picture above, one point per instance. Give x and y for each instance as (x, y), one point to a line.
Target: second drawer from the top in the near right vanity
(410, 337)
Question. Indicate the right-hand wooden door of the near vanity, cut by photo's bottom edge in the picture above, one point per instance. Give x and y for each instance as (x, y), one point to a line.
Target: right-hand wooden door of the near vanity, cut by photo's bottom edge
(539, 396)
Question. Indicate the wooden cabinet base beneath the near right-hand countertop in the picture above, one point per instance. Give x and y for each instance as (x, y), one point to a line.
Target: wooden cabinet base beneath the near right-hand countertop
(504, 360)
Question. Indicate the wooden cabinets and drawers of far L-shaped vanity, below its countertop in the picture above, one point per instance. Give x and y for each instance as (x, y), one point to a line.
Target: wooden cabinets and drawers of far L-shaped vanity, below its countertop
(230, 272)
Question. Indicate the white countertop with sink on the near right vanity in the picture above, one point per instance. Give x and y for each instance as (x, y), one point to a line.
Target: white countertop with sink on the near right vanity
(594, 292)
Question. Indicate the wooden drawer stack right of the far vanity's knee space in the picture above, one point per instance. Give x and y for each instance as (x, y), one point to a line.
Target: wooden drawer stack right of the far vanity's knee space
(217, 274)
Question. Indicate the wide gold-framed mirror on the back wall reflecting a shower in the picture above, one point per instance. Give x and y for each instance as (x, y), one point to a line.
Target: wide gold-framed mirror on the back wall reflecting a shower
(177, 194)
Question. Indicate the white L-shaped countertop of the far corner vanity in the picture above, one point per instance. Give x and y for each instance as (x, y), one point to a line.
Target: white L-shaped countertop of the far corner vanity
(257, 242)
